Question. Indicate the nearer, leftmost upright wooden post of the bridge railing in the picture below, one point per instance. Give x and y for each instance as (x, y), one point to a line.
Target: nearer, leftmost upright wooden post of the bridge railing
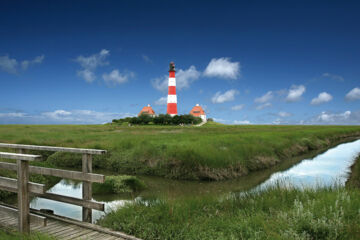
(23, 195)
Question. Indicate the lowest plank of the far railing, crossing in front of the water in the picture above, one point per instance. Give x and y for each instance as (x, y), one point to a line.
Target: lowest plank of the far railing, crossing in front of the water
(76, 201)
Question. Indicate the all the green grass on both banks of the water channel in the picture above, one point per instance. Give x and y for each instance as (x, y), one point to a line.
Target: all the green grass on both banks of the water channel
(214, 152)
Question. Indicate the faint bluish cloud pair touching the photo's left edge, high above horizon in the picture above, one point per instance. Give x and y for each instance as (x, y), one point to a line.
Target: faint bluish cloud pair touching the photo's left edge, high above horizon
(11, 65)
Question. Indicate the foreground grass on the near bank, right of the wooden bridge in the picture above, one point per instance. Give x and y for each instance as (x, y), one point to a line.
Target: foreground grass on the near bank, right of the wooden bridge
(275, 213)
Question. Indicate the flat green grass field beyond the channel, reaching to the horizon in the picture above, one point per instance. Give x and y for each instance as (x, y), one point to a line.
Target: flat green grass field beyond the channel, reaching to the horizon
(213, 151)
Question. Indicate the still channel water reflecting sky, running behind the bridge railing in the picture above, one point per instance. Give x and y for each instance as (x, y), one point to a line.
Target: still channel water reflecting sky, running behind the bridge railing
(324, 169)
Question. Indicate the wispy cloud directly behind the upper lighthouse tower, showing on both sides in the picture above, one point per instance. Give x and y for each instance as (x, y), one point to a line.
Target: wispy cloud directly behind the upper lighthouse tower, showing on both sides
(184, 78)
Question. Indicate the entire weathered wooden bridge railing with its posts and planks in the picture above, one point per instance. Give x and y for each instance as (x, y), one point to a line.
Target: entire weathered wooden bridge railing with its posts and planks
(24, 188)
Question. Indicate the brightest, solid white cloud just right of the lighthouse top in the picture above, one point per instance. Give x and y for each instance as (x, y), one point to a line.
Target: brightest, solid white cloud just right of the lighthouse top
(223, 68)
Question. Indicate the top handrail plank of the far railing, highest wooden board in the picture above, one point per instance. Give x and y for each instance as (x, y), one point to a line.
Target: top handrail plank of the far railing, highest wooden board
(55, 149)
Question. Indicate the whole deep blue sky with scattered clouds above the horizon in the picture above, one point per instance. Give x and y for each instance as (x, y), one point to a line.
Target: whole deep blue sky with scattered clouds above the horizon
(258, 62)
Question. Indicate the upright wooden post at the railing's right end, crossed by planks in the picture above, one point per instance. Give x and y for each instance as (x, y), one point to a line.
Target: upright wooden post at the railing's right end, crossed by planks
(86, 187)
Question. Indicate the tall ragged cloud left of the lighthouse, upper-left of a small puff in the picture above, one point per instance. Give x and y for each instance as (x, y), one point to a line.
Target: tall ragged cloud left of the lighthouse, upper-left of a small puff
(90, 63)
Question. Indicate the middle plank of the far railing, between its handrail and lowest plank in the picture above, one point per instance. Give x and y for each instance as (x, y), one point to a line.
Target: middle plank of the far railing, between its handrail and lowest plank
(75, 175)
